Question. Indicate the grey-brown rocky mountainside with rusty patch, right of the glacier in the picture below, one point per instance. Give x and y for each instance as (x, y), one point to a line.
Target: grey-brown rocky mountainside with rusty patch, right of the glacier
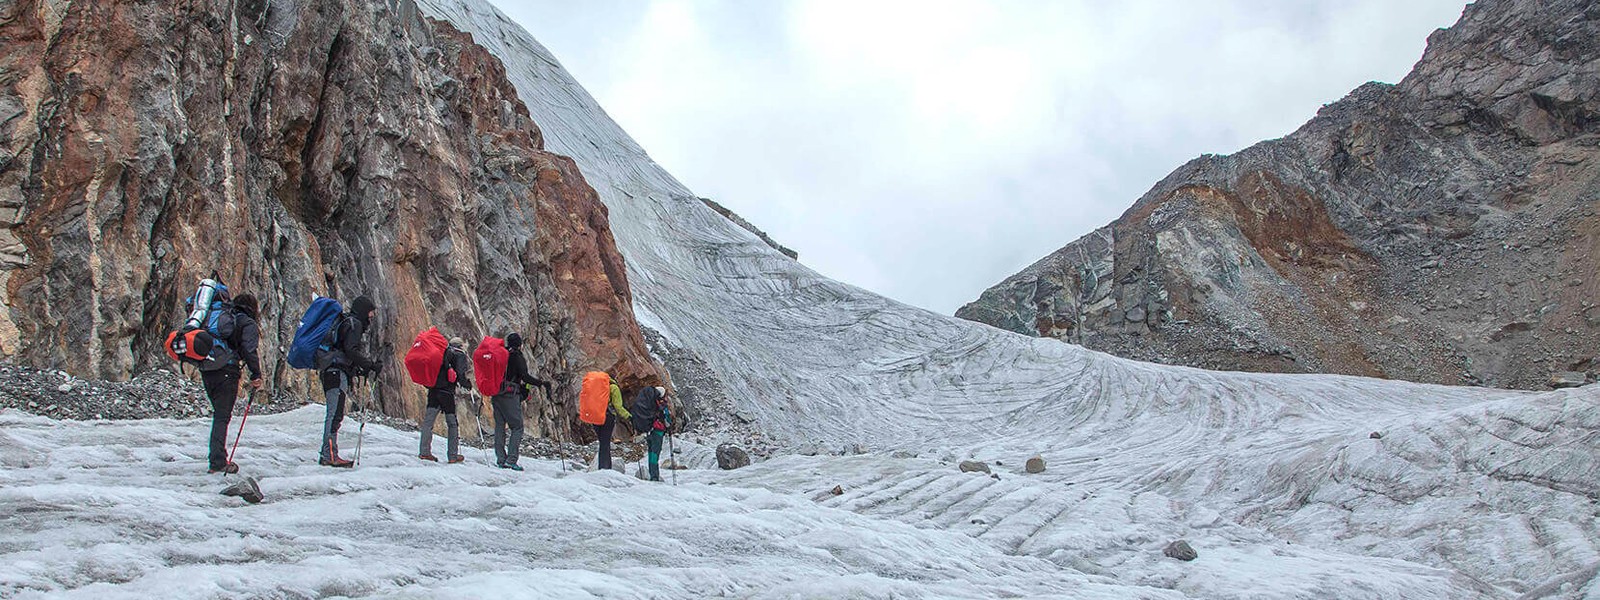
(1442, 230)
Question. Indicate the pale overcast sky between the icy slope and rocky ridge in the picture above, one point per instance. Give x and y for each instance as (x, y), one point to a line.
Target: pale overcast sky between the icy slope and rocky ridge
(929, 150)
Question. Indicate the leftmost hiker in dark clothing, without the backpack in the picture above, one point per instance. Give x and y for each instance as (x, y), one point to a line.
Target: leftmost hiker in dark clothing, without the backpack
(222, 386)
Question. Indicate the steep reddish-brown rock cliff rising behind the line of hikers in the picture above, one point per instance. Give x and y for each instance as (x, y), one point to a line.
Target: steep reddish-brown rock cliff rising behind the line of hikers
(338, 148)
